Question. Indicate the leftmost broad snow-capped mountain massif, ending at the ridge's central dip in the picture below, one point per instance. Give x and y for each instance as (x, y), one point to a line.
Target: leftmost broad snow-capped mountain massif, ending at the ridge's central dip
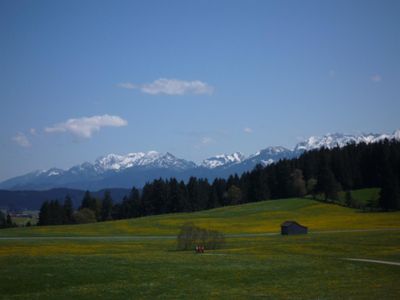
(108, 171)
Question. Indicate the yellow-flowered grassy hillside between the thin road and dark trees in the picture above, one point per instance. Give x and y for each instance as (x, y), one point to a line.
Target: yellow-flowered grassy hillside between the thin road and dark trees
(260, 217)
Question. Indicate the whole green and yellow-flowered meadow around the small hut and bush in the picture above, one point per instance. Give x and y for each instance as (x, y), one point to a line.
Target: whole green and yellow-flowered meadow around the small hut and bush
(115, 266)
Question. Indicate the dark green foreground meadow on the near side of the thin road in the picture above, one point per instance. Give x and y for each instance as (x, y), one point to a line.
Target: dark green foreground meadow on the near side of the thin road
(301, 267)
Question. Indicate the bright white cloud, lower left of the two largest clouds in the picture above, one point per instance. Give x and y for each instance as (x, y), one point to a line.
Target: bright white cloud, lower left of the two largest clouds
(84, 127)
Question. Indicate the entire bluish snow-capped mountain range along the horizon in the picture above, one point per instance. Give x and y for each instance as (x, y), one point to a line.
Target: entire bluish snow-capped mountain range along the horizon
(135, 169)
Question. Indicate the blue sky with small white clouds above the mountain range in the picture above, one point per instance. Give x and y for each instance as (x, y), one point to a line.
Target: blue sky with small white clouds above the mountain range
(81, 79)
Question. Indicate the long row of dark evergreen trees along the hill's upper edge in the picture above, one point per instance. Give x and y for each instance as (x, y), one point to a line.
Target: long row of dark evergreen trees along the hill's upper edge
(323, 172)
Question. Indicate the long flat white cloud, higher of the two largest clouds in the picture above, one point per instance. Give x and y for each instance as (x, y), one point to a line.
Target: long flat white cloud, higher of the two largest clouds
(171, 87)
